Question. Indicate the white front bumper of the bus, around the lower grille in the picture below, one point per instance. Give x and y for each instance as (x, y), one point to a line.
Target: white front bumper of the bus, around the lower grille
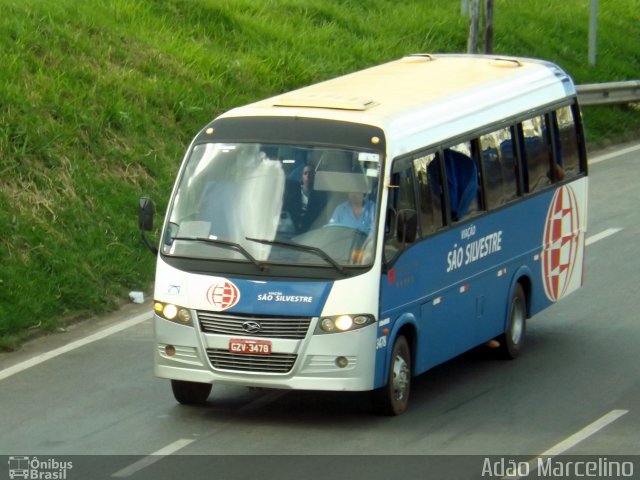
(313, 360)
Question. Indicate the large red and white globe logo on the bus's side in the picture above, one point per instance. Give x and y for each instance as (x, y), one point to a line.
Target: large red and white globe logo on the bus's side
(561, 243)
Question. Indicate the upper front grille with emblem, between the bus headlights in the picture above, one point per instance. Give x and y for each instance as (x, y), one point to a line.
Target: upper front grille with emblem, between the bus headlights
(270, 327)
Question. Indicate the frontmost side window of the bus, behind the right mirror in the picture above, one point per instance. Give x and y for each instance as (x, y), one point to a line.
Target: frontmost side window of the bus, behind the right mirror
(401, 227)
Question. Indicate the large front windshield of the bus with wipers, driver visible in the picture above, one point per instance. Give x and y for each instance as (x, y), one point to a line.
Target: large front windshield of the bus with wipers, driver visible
(275, 204)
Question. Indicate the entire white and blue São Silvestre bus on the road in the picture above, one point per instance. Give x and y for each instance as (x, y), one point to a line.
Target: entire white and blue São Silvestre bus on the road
(352, 234)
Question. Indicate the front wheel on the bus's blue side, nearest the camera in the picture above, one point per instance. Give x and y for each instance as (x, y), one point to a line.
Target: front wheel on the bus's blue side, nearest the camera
(393, 398)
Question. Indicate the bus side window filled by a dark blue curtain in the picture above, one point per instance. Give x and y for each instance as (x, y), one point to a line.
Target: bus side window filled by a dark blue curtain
(462, 181)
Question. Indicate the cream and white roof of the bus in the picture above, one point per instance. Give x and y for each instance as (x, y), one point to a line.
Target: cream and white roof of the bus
(423, 98)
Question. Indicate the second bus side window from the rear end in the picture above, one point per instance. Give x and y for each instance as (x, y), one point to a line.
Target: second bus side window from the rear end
(537, 152)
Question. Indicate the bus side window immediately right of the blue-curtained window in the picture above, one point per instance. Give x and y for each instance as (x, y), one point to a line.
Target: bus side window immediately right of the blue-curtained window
(499, 167)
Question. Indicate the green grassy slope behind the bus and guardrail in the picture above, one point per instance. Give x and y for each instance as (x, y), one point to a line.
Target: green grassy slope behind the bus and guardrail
(98, 101)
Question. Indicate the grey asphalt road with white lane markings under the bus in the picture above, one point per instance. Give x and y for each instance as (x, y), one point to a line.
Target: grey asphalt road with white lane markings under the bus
(574, 391)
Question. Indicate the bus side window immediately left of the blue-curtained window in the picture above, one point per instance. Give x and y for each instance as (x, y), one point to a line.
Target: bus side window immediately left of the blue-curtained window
(430, 193)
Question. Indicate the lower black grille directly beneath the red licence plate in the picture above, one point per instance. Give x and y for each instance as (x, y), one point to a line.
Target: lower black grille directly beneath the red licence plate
(273, 363)
